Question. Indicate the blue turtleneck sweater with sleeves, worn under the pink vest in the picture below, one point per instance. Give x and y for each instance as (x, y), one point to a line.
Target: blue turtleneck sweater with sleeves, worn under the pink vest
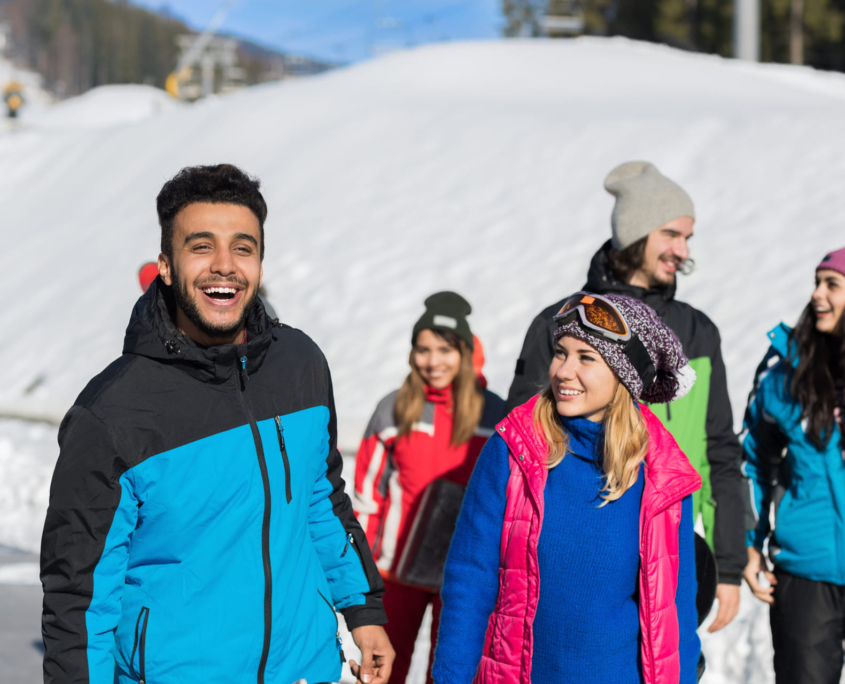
(587, 626)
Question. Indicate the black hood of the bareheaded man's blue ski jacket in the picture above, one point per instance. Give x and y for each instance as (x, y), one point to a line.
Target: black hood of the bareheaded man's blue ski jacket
(153, 334)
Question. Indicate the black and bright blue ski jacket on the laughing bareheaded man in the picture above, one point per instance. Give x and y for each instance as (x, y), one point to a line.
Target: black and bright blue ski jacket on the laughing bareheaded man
(198, 528)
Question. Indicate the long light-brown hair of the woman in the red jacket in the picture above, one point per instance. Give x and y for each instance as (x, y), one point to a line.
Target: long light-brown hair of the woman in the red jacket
(467, 395)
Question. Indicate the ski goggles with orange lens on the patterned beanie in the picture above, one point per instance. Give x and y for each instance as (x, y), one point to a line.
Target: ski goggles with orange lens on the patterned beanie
(600, 317)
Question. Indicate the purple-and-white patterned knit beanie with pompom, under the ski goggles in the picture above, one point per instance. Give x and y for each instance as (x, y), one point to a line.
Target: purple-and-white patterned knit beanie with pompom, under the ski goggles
(674, 376)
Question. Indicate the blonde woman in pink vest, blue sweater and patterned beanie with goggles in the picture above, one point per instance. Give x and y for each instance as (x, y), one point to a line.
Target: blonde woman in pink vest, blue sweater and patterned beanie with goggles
(573, 560)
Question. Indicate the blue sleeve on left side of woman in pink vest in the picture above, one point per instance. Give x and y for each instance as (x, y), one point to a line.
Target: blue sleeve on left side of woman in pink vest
(471, 580)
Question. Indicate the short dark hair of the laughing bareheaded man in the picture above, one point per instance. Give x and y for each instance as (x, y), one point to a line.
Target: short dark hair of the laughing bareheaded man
(219, 184)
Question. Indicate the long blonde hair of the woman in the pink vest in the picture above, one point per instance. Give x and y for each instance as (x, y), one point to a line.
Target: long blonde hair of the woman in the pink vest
(625, 439)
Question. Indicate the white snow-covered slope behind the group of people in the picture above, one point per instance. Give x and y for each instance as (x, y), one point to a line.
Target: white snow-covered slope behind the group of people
(476, 167)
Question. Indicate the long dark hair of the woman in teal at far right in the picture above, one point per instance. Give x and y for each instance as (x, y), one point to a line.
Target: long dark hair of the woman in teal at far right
(820, 364)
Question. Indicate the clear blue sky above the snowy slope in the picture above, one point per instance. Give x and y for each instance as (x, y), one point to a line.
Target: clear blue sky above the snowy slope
(344, 30)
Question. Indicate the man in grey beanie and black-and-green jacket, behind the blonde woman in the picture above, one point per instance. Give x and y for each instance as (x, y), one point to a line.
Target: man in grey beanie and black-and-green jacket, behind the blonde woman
(652, 221)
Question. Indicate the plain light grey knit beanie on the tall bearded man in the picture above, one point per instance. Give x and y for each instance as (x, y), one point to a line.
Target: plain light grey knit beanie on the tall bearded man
(645, 200)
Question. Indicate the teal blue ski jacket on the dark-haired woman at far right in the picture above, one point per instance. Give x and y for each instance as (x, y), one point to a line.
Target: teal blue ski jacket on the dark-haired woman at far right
(785, 470)
